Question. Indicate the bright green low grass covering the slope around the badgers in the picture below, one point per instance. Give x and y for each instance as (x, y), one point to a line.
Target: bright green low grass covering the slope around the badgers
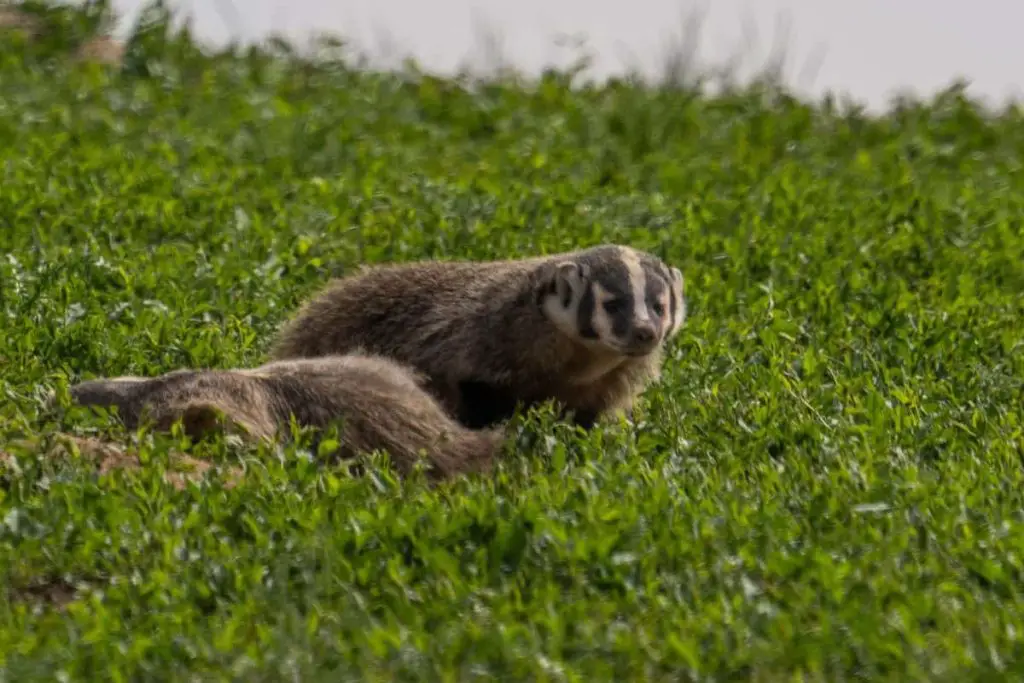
(827, 486)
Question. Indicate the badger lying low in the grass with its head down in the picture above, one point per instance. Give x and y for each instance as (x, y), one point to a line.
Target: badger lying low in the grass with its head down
(376, 403)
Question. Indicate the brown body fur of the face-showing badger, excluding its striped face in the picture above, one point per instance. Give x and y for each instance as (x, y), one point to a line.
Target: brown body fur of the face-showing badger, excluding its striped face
(477, 330)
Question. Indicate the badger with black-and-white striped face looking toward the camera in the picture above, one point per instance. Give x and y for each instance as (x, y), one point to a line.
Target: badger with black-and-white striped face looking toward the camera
(586, 328)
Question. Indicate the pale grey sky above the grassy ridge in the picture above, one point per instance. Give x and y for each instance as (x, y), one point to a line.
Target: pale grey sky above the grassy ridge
(868, 49)
